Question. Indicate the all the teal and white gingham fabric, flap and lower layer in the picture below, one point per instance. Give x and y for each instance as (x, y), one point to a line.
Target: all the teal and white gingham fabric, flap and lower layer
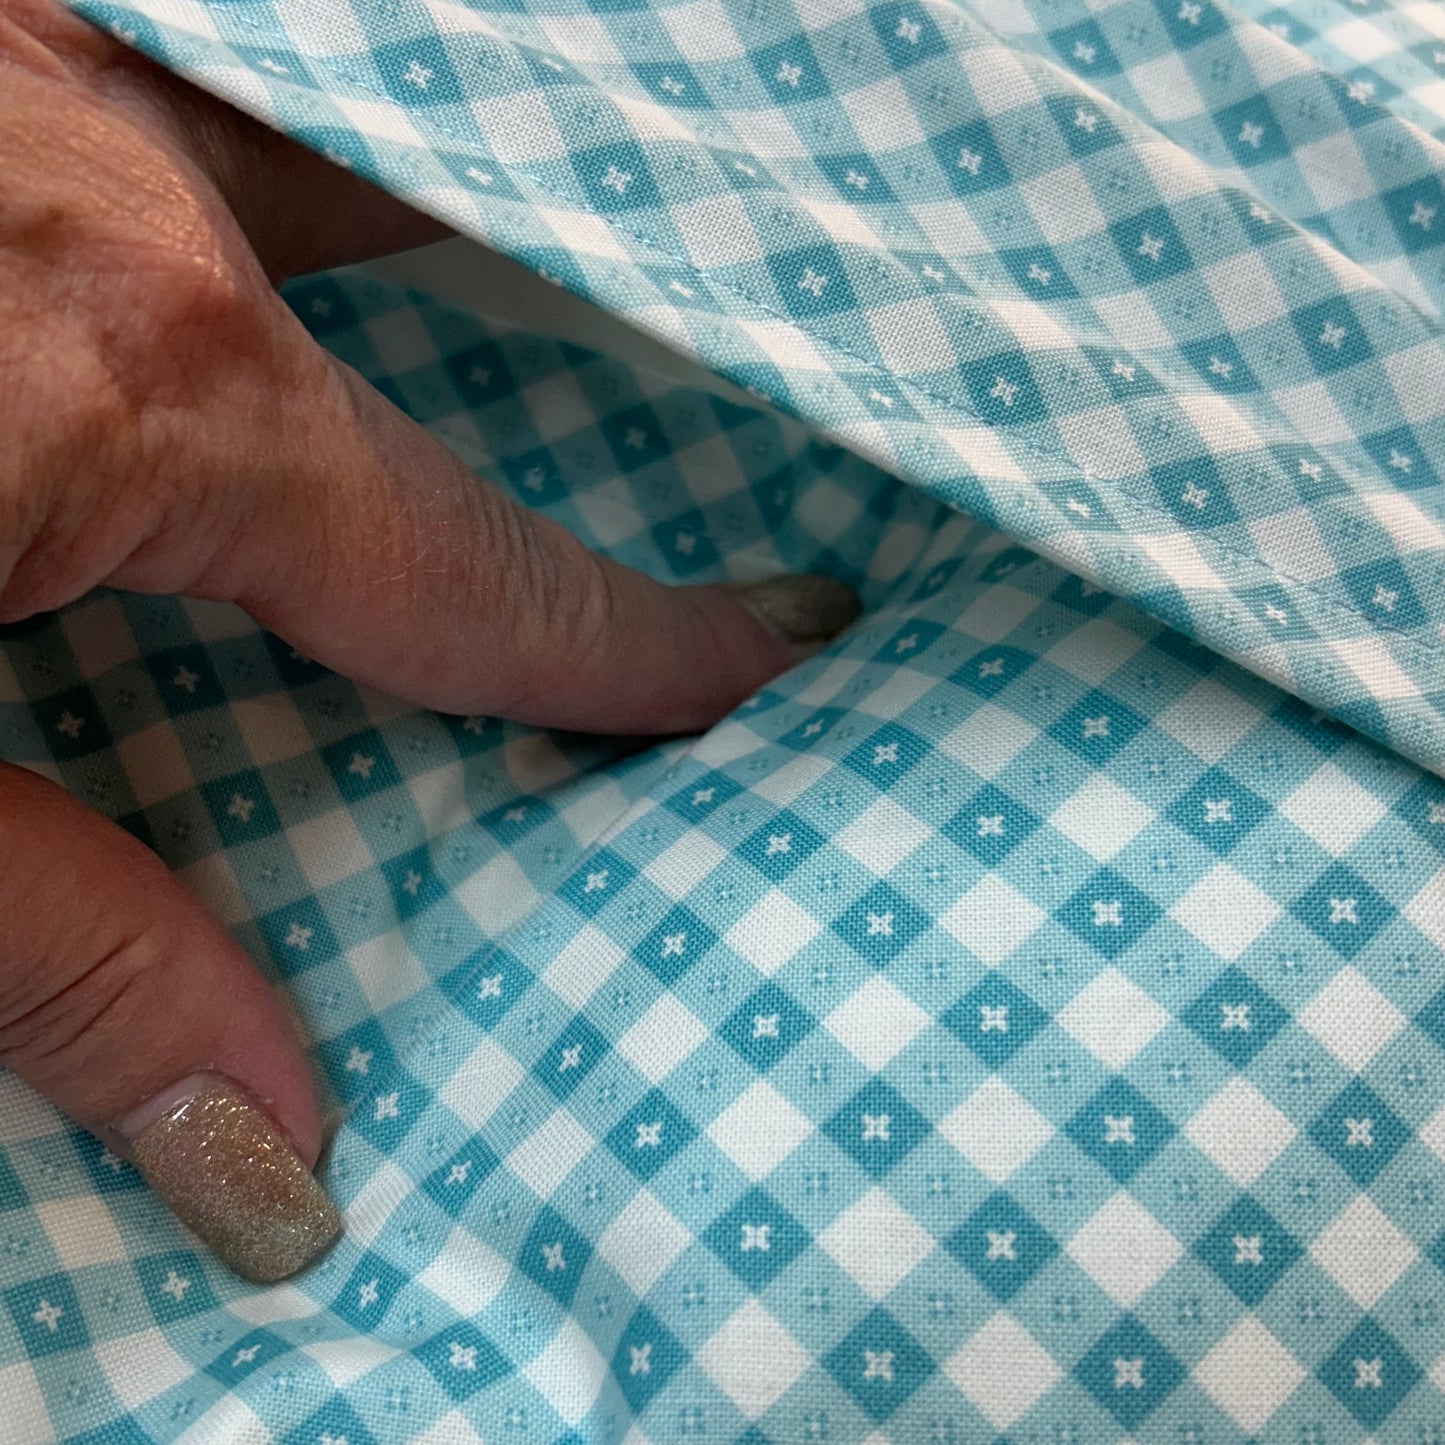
(1017, 1024)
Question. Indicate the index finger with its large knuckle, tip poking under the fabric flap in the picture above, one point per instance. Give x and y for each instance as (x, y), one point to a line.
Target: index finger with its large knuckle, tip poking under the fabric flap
(219, 452)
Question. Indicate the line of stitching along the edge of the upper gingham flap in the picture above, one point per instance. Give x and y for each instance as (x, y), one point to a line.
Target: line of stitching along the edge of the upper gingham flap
(1421, 647)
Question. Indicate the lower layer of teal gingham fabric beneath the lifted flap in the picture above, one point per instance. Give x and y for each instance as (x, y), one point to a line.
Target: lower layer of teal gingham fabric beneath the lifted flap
(1018, 970)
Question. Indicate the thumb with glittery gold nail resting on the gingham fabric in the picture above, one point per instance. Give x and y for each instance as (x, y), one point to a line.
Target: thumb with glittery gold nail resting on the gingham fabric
(129, 1008)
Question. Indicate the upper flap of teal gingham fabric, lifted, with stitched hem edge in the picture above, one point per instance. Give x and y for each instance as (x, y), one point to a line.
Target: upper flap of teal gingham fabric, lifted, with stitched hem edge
(1148, 290)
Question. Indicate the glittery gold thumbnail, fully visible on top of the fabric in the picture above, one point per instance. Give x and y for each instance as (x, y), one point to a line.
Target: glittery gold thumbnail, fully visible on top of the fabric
(228, 1173)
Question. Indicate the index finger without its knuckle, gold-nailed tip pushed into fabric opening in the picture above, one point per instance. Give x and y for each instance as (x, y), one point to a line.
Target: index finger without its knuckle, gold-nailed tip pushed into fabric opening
(381, 556)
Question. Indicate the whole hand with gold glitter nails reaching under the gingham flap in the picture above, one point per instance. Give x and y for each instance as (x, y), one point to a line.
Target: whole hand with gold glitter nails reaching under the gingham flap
(171, 428)
